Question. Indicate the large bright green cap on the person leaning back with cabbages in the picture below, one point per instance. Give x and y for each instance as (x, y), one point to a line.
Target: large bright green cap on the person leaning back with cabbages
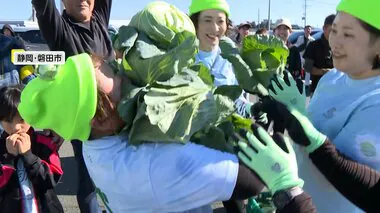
(65, 104)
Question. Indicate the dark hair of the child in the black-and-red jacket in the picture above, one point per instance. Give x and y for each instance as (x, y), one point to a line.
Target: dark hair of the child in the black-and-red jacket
(9, 100)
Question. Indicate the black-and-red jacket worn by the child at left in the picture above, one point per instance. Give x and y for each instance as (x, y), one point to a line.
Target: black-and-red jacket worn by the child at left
(43, 169)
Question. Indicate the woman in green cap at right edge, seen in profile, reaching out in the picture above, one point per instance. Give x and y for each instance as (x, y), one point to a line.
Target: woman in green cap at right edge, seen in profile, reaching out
(345, 106)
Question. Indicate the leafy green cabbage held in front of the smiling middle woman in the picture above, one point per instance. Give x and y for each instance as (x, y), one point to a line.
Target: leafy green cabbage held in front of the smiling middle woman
(260, 58)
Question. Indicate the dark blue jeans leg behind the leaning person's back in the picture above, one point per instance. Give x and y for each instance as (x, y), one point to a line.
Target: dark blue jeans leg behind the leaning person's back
(86, 194)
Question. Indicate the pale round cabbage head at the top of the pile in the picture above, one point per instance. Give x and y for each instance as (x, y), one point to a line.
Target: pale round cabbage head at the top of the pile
(161, 22)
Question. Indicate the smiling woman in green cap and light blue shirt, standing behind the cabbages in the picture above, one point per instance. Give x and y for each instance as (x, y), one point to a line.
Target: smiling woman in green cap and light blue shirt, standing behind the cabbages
(211, 21)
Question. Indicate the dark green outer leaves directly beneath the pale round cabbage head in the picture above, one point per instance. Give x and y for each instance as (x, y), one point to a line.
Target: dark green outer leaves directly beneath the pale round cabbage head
(145, 63)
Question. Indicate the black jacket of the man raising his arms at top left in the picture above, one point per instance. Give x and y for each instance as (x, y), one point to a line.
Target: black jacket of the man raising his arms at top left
(62, 33)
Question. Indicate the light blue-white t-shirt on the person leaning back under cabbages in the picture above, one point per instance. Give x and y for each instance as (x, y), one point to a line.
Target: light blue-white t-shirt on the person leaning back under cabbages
(158, 177)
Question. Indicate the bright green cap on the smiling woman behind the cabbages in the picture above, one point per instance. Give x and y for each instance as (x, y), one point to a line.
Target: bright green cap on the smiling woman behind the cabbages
(201, 5)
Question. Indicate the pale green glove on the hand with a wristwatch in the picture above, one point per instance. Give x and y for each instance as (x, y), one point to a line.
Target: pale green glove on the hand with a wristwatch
(276, 167)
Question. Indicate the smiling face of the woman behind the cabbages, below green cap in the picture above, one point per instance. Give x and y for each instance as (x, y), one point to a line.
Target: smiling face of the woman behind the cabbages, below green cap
(212, 25)
